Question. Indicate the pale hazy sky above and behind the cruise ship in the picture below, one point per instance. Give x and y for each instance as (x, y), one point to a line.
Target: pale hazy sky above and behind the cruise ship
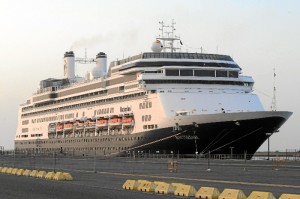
(258, 35)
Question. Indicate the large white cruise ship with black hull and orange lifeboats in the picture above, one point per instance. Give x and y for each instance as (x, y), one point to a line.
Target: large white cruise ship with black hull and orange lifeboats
(165, 101)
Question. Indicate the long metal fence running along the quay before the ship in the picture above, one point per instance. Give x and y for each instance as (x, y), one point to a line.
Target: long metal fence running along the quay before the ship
(134, 161)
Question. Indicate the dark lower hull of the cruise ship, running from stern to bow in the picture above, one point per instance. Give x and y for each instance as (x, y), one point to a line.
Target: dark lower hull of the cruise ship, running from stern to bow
(221, 137)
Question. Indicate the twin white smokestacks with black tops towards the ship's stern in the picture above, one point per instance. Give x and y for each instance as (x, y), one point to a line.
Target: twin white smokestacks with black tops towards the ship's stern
(98, 71)
